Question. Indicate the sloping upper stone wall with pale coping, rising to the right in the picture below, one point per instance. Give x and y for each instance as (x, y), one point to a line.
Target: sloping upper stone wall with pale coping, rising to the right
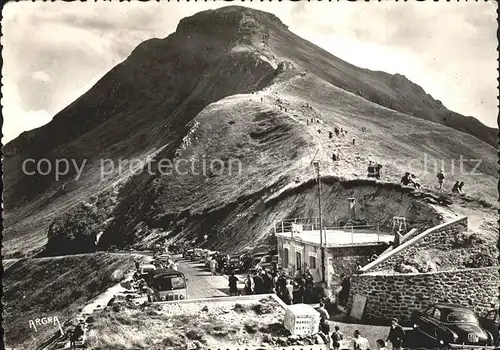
(441, 237)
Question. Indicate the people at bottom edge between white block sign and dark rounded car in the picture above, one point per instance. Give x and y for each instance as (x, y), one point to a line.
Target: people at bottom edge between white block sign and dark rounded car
(335, 339)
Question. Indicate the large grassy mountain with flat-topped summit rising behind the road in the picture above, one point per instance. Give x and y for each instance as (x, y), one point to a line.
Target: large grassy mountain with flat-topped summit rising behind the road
(189, 96)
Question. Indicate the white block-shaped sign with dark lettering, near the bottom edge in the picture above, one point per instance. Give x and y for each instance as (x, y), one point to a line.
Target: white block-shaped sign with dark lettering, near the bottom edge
(301, 319)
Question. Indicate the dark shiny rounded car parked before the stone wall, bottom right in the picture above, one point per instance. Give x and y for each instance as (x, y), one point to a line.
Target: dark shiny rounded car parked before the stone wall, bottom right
(452, 325)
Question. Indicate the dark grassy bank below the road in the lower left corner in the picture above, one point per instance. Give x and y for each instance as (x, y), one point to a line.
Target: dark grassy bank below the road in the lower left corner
(36, 288)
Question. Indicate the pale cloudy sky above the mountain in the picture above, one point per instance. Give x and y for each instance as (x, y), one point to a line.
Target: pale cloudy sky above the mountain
(55, 52)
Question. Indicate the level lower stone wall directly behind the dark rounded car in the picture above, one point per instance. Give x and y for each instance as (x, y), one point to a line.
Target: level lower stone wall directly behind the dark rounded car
(398, 295)
